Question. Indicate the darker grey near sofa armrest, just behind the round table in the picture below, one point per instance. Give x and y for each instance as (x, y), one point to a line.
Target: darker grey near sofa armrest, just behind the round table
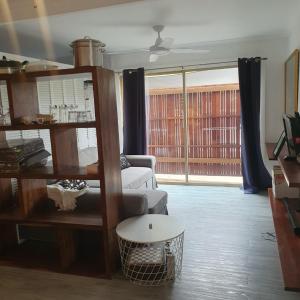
(134, 203)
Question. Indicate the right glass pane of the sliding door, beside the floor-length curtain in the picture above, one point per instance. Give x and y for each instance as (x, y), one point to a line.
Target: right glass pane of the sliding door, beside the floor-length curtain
(214, 146)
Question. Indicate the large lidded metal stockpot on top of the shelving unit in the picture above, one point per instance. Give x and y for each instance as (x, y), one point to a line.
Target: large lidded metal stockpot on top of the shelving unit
(87, 52)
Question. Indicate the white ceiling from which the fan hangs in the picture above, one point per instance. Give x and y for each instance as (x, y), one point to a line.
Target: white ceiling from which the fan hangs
(128, 26)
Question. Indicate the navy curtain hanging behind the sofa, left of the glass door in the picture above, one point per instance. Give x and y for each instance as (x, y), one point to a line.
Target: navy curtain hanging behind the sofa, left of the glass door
(134, 112)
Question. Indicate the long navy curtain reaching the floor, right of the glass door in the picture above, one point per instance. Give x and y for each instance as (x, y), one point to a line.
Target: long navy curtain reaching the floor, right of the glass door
(255, 174)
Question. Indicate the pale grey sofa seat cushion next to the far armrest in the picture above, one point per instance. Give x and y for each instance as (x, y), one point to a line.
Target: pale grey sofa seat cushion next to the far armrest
(134, 177)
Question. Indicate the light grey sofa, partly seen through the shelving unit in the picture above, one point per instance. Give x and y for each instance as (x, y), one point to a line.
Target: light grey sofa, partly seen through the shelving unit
(140, 195)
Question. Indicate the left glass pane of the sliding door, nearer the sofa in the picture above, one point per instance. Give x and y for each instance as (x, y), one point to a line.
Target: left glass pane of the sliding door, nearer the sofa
(165, 120)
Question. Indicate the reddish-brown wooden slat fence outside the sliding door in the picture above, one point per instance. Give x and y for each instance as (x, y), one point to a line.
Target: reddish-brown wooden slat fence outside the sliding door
(214, 135)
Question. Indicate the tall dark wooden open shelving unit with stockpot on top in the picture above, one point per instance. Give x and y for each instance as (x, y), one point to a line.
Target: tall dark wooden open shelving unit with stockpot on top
(68, 252)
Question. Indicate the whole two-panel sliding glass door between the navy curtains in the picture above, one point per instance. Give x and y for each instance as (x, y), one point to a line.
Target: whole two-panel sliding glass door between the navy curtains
(194, 125)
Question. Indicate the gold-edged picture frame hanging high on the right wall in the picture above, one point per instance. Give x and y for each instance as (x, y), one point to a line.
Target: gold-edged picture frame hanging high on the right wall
(291, 83)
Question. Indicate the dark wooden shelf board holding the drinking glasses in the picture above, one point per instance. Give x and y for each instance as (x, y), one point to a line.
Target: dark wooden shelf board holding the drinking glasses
(91, 124)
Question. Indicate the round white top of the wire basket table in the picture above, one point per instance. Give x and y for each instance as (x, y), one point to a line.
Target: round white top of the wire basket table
(138, 229)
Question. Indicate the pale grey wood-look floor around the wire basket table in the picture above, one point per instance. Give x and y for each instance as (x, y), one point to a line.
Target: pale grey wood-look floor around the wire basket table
(228, 254)
